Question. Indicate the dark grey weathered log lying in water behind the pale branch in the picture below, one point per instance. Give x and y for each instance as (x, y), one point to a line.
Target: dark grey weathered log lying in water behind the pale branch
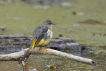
(11, 43)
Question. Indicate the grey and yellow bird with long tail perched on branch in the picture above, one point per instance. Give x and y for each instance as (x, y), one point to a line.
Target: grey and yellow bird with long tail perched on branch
(41, 36)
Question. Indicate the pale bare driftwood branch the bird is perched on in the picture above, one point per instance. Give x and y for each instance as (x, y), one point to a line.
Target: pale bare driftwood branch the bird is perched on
(17, 55)
